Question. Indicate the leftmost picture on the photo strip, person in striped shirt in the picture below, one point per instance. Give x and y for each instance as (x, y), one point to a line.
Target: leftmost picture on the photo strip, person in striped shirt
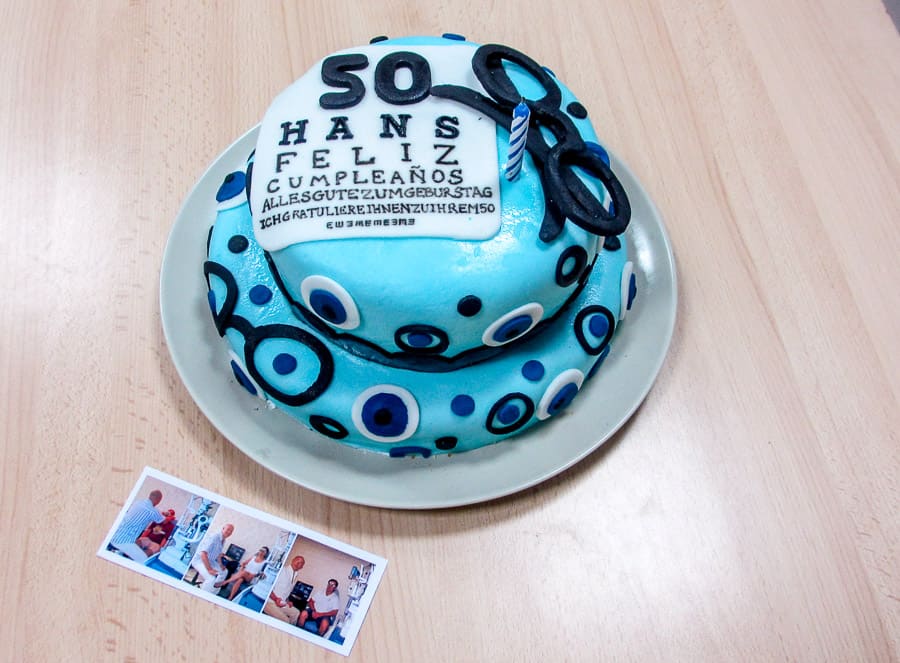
(161, 526)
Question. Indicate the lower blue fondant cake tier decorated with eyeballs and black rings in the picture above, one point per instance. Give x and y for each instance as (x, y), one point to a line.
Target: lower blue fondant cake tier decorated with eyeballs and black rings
(276, 356)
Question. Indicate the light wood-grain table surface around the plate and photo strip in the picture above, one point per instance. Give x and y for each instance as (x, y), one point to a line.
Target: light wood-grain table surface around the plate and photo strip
(748, 512)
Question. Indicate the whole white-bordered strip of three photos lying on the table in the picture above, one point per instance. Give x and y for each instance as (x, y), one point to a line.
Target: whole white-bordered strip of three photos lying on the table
(279, 573)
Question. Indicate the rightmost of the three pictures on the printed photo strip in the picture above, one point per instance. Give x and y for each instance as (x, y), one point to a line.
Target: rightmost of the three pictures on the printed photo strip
(321, 590)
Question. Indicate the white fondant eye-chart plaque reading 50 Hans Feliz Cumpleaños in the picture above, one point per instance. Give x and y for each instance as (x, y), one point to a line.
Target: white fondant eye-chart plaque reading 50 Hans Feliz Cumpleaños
(359, 148)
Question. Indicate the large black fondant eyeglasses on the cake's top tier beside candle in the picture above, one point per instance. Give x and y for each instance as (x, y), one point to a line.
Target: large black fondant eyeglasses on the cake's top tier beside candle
(567, 197)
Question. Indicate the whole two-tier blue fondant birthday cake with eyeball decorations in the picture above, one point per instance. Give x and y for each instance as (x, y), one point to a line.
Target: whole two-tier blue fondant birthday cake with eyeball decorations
(425, 251)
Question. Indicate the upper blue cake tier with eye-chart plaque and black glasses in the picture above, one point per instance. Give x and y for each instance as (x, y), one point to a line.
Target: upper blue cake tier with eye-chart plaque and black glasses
(379, 191)
